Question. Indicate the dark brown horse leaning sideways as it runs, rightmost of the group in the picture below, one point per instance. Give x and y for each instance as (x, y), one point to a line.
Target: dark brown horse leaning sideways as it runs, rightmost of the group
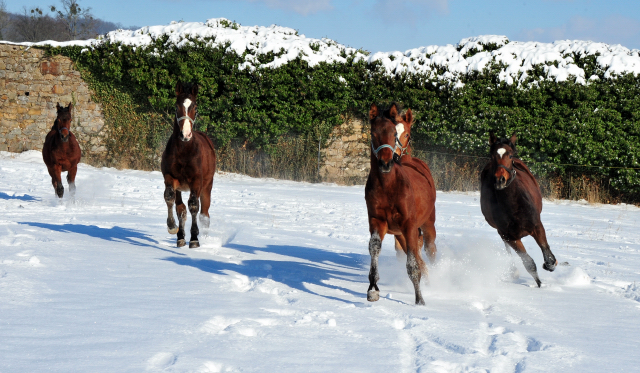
(511, 202)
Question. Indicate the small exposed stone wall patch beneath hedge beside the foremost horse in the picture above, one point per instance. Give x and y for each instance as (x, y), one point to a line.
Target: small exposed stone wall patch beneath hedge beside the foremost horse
(346, 159)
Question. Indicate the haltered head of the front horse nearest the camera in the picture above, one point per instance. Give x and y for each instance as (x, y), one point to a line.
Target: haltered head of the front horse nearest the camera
(385, 145)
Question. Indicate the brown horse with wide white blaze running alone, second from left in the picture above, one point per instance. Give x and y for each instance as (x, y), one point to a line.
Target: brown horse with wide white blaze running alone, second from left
(188, 164)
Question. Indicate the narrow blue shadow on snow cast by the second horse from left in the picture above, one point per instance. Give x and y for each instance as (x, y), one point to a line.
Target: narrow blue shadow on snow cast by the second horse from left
(114, 234)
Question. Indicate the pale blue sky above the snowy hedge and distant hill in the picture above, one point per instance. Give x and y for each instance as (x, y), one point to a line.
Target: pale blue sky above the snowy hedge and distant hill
(389, 25)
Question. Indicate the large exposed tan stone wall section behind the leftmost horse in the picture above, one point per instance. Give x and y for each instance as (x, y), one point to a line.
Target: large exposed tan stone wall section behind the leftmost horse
(31, 85)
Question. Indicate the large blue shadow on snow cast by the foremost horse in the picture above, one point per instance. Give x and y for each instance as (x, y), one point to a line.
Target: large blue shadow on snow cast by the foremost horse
(318, 268)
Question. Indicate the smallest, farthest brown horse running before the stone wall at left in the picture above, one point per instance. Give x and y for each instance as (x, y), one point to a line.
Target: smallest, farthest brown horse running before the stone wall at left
(61, 151)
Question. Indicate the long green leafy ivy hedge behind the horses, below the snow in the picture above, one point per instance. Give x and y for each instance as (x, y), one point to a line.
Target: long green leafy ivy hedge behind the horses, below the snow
(558, 124)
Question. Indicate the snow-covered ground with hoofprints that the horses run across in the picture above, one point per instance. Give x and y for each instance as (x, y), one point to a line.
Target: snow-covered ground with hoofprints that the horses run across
(95, 284)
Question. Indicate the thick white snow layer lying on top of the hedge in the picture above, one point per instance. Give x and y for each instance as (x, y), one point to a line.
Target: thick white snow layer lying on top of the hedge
(469, 55)
